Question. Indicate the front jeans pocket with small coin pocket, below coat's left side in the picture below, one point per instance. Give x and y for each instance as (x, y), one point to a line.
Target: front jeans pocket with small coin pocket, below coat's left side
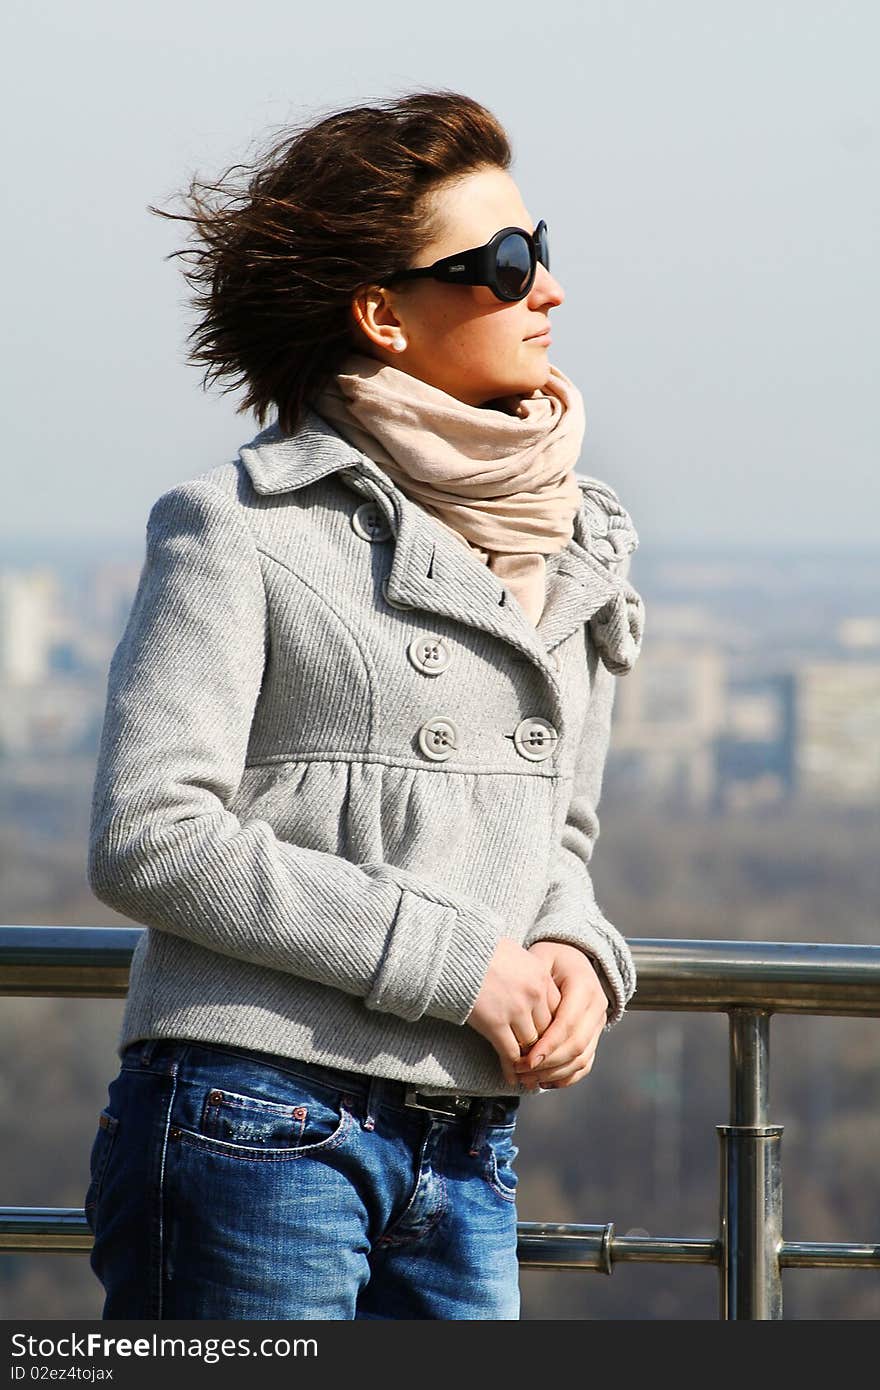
(243, 1124)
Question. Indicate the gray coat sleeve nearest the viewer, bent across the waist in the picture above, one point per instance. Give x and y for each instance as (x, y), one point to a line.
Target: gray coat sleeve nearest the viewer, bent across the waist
(166, 850)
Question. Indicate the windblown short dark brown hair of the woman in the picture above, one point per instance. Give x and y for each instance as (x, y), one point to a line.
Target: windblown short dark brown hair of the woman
(333, 208)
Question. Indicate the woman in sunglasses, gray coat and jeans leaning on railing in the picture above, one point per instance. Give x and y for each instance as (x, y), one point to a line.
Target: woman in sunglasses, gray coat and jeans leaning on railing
(354, 744)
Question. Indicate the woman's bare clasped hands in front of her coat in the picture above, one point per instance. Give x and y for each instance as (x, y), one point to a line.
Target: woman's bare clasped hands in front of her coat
(544, 1011)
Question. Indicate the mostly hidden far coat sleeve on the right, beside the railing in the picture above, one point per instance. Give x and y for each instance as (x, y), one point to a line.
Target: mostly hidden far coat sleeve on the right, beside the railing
(571, 913)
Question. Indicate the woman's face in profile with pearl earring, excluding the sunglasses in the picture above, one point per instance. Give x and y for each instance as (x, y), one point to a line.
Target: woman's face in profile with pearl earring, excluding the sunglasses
(461, 338)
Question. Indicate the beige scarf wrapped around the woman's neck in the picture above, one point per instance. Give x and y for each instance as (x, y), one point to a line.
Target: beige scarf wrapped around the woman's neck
(501, 479)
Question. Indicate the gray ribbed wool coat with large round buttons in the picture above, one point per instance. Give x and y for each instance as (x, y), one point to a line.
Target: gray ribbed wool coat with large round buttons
(339, 764)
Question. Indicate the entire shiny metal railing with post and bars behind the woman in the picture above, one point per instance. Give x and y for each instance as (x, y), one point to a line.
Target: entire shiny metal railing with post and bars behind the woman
(749, 981)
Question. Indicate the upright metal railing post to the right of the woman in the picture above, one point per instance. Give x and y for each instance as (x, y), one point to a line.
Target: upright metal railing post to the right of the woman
(751, 1197)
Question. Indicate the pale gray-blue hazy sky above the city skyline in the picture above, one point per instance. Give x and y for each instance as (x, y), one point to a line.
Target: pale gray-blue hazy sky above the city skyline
(710, 173)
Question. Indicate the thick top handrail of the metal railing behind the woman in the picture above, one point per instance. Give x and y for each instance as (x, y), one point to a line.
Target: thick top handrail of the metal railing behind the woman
(682, 975)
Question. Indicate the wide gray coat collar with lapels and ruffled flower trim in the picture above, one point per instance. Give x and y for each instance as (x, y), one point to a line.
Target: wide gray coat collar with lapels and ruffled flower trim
(433, 571)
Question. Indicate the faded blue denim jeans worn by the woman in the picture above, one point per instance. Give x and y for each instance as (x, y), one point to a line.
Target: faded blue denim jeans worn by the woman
(227, 1184)
